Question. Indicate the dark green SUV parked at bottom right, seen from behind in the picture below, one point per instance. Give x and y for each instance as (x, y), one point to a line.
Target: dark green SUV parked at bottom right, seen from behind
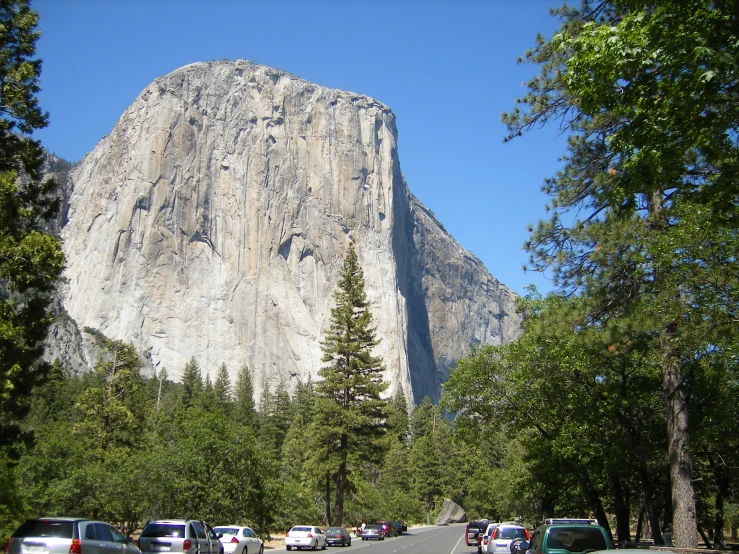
(568, 537)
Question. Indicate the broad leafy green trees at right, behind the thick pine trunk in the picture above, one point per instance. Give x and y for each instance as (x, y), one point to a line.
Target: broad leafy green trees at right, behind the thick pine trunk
(589, 414)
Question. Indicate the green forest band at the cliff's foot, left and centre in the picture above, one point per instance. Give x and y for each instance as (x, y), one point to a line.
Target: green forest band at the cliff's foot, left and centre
(114, 445)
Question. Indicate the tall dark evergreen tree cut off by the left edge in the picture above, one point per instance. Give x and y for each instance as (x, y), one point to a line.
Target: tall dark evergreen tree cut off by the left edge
(31, 260)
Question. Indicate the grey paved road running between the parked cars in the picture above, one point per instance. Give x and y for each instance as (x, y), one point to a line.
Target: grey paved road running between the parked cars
(421, 540)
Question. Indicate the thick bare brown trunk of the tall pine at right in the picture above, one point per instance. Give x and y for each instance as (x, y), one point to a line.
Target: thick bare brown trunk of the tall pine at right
(684, 521)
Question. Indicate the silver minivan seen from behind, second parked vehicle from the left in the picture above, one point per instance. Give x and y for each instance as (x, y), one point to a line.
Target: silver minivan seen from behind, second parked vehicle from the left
(186, 536)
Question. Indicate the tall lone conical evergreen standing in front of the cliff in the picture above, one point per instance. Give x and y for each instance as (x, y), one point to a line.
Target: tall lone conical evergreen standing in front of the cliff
(350, 416)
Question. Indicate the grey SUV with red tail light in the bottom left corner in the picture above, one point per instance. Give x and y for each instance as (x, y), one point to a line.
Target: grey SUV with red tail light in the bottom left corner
(67, 535)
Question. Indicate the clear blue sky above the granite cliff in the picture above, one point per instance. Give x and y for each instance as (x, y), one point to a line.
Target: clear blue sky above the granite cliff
(447, 69)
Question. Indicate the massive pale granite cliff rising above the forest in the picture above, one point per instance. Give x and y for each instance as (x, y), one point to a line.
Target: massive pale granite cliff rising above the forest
(213, 220)
